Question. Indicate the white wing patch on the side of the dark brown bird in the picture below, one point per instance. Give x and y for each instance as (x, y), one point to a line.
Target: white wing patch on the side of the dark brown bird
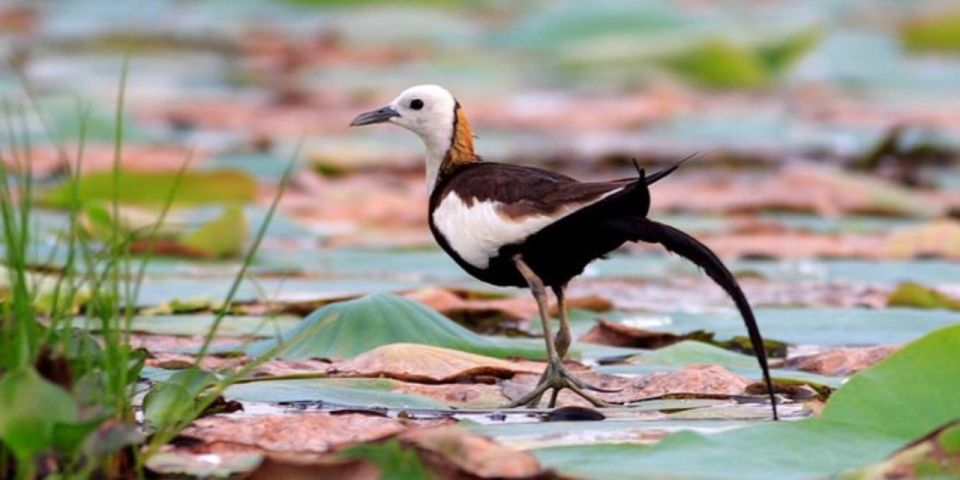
(478, 231)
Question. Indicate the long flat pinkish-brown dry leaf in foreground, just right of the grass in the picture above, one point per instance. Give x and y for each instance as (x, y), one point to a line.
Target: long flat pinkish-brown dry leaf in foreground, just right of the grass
(302, 433)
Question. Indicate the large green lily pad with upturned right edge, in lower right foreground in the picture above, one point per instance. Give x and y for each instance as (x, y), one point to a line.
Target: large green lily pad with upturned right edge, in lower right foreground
(873, 415)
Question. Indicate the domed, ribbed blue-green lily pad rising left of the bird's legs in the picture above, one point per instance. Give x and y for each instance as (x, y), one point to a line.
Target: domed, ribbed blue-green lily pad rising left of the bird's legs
(347, 329)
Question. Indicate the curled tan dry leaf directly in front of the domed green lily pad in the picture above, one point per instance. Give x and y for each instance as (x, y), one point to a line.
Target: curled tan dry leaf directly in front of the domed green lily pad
(424, 363)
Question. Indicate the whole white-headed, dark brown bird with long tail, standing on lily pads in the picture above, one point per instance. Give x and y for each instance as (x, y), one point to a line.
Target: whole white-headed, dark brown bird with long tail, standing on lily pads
(520, 226)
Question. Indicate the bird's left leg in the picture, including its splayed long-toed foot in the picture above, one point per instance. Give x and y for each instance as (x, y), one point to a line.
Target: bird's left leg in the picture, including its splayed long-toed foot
(556, 377)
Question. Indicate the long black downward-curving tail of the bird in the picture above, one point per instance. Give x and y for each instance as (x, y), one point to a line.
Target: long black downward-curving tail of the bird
(676, 241)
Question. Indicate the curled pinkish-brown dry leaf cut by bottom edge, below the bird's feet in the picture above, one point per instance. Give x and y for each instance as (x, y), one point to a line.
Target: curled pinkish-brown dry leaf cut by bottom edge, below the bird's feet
(454, 453)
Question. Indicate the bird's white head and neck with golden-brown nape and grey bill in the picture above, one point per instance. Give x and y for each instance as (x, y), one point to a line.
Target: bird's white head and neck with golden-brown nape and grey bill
(431, 112)
